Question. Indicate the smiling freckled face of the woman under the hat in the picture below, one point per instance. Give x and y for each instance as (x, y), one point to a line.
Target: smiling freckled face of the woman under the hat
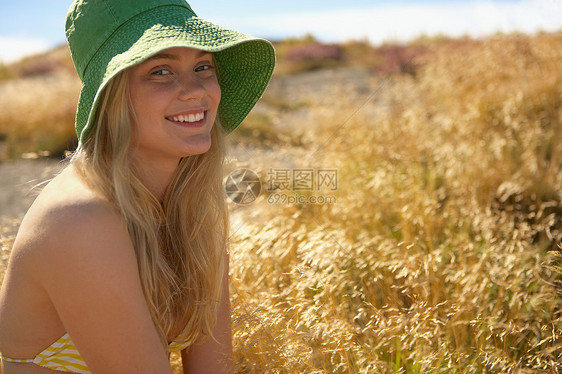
(175, 96)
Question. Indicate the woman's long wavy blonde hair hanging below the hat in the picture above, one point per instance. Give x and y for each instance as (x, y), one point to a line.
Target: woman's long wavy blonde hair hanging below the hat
(180, 242)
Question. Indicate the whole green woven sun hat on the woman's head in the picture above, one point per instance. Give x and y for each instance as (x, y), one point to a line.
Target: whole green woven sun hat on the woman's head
(108, 36)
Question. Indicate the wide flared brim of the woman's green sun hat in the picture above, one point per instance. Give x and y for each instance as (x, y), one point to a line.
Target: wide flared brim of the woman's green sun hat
(244, 63)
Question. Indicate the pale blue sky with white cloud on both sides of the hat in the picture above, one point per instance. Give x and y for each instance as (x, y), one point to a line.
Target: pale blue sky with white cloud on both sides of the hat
(35, 25)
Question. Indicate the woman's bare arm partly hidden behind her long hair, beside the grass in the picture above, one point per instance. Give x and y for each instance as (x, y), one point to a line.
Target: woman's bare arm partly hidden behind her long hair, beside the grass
(212, 356)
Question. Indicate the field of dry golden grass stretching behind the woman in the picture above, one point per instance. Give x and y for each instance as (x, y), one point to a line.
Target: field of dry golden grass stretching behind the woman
(440, 252)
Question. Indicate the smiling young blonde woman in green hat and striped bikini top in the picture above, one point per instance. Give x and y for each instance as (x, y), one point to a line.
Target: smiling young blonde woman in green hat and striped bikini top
(123, 256)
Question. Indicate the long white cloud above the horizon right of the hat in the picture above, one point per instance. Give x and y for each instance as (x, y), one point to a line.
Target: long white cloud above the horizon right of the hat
(403, 22)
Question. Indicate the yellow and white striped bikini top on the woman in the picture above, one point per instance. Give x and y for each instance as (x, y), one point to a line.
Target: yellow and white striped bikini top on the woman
(62, 355)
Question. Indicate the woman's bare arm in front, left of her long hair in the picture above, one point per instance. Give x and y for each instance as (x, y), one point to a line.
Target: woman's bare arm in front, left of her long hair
(85, 261)
